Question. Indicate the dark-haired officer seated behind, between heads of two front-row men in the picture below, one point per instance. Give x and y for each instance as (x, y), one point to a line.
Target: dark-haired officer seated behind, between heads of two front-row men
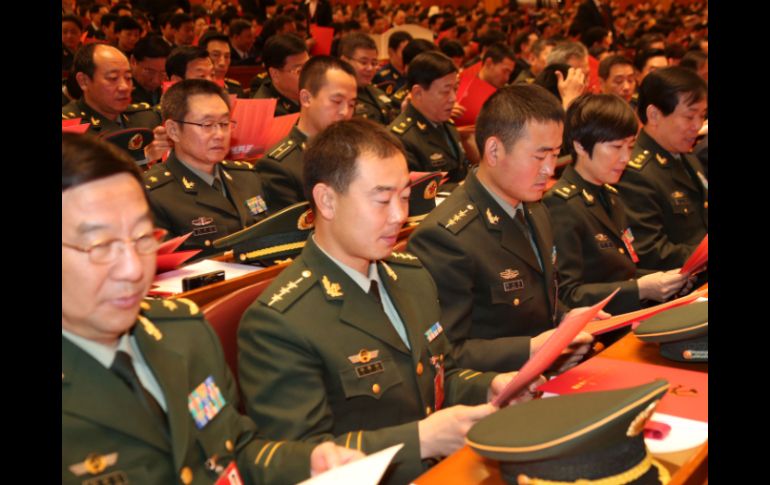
(425, 127)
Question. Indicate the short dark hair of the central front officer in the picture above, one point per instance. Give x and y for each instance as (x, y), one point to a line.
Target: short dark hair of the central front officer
(332, 155)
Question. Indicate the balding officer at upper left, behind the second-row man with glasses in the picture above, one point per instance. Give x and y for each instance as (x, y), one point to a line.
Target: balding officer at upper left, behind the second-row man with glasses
(104, 76)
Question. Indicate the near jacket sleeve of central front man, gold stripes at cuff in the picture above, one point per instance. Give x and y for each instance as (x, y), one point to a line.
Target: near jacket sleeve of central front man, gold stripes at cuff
(270, 356)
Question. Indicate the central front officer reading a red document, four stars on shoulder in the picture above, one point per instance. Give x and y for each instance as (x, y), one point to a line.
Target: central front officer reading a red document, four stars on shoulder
(347, 343)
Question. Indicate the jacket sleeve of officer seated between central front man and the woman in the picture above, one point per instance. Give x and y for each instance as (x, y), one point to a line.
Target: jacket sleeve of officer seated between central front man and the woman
(452, 270)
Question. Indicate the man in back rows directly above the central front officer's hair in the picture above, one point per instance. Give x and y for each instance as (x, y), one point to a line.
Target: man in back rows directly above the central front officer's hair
(361, 52)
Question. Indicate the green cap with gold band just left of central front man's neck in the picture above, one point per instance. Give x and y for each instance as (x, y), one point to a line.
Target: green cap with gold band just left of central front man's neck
(280, 236)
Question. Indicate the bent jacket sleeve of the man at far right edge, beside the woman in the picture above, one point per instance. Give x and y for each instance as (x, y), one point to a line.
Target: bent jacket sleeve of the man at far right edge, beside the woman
(645, 215)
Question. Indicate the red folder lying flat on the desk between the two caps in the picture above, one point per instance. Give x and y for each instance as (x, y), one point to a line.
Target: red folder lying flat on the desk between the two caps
(687, 396)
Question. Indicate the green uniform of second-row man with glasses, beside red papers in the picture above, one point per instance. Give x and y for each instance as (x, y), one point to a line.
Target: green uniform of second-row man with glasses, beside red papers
(182, 202)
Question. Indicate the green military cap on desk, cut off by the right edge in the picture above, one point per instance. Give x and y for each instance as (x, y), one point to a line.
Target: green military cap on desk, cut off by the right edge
(682, 332)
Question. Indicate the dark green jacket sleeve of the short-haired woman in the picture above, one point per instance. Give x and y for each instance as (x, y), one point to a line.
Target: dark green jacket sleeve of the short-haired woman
(570, 232)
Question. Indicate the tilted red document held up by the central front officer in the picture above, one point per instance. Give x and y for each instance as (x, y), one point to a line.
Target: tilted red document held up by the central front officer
(556, 343)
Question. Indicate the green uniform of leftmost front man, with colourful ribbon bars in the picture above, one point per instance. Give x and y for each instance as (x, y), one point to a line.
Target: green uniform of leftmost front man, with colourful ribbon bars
(108, 437)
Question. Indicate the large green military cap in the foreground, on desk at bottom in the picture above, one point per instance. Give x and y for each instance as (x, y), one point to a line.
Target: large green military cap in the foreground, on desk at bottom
(591, 437)
